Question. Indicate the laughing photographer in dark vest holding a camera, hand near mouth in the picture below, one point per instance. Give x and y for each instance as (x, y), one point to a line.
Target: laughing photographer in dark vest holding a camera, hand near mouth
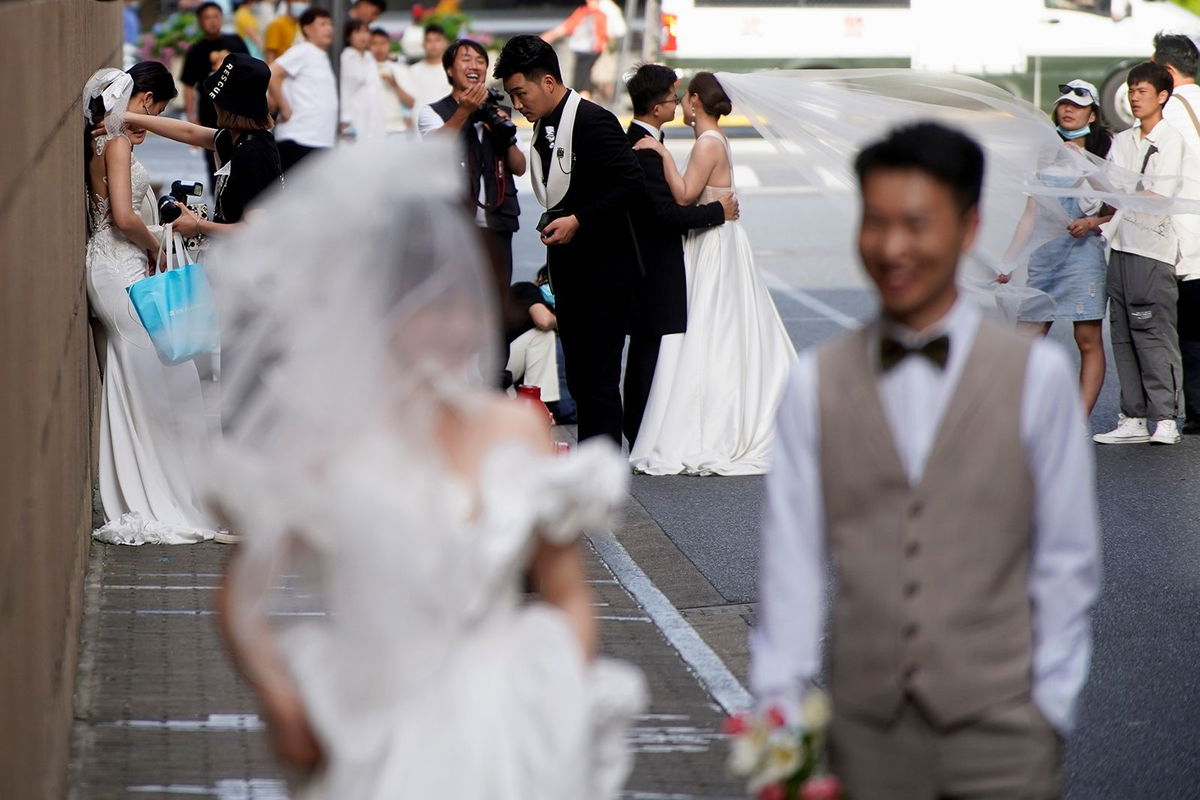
(493, 157)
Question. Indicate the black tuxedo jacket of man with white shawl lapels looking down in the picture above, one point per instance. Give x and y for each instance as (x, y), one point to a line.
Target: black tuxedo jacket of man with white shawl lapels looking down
(607, 182)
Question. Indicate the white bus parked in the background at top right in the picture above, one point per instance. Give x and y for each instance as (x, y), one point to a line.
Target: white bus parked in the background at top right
(1027, 46)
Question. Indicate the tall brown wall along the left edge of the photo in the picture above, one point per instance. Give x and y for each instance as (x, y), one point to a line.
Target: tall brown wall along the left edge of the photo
(47, 377)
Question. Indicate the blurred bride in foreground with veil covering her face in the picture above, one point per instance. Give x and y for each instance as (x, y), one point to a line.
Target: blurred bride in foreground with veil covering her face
(391, 504)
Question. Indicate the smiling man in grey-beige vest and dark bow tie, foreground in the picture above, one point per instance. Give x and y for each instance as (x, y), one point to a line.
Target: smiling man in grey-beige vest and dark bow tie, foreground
(940, 464)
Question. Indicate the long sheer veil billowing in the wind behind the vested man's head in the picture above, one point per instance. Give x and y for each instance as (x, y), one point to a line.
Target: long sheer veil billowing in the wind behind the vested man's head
(818, 121)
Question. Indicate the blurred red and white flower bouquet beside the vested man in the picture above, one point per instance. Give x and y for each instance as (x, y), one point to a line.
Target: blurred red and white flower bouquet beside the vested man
(782, 761)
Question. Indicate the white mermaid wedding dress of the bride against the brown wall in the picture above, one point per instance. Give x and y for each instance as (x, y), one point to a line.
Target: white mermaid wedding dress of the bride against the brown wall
(148, 410)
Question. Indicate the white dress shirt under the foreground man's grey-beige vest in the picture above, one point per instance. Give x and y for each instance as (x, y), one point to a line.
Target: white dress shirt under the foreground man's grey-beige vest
(1065, 570)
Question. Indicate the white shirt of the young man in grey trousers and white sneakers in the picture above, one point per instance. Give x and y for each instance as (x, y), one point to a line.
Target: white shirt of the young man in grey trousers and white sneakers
(1151, 236)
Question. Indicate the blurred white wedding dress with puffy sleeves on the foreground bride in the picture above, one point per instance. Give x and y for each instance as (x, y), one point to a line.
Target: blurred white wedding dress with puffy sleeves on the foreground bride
(423, 671)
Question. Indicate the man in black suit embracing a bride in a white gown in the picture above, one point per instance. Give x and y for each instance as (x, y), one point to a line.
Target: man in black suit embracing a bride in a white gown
(661, 300)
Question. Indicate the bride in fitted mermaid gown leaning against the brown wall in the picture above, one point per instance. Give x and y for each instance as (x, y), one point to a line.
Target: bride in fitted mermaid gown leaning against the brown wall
(147, 408)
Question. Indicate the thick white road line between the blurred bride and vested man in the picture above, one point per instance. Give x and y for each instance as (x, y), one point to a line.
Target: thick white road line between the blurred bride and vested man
(717, 678)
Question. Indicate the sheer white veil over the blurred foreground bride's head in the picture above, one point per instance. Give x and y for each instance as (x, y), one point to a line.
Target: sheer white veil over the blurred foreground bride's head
(352, 303)
